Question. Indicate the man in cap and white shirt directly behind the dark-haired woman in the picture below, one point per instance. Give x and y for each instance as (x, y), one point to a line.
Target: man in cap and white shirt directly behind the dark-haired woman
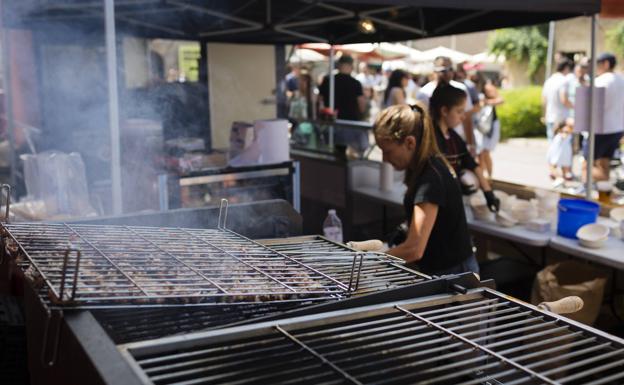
(443, 71)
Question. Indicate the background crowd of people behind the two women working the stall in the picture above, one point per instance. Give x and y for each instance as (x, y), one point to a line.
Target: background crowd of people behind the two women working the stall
(361, 96)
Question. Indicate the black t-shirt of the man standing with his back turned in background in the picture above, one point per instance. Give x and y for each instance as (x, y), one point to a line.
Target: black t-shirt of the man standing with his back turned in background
(347, 90)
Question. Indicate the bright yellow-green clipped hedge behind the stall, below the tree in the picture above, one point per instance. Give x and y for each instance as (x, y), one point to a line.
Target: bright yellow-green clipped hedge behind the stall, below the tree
(521, 112)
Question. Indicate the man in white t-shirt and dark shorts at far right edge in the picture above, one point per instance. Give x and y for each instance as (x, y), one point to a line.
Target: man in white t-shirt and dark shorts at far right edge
(613, 122)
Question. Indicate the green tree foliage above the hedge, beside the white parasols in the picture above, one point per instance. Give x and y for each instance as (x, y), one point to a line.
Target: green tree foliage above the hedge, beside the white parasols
(524, 44)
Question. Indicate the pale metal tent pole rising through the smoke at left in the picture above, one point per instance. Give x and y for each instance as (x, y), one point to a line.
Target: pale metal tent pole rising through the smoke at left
(113, 104)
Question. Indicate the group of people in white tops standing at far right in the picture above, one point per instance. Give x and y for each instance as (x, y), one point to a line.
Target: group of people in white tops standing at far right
(559, 97)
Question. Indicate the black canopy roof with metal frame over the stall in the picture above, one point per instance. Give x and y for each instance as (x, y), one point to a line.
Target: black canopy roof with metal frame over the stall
(295, 21)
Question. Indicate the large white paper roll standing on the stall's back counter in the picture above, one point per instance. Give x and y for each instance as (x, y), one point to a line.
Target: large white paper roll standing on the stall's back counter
(272, 138)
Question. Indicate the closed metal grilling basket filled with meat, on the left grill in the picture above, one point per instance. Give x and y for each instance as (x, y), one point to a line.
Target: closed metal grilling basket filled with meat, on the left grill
(87, 265)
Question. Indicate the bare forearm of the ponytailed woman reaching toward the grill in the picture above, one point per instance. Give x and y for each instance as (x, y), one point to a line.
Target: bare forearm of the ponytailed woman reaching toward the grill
(414, 246)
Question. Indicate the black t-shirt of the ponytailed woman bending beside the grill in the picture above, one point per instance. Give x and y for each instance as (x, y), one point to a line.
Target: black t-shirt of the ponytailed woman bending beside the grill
(449, 242)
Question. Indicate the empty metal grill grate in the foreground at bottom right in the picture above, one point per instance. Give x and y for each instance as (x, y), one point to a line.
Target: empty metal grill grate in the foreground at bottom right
(478, 338)
